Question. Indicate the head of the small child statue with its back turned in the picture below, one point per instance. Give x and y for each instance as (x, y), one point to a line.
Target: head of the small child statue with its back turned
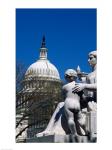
(70, 74)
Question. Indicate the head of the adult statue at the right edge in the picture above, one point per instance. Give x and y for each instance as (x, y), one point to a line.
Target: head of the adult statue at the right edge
(92, 58)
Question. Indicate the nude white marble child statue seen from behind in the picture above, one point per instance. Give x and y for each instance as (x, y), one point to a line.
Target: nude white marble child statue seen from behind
(72, 106)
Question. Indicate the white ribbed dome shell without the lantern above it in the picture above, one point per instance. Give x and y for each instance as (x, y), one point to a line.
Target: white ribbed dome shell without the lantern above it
(43, 68)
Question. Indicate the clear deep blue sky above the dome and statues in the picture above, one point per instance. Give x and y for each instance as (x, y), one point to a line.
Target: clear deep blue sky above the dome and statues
(70, 35)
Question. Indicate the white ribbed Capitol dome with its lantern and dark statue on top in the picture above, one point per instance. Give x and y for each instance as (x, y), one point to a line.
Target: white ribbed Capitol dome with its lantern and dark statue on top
(43, 67)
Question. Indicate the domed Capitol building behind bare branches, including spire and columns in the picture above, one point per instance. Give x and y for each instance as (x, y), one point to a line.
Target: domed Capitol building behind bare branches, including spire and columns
(39, 97)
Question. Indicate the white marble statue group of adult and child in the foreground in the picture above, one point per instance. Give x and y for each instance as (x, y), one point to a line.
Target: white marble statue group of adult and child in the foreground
(74, 114)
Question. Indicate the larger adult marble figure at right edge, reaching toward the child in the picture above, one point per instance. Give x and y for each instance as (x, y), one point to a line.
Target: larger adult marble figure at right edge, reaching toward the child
(90, 87)
